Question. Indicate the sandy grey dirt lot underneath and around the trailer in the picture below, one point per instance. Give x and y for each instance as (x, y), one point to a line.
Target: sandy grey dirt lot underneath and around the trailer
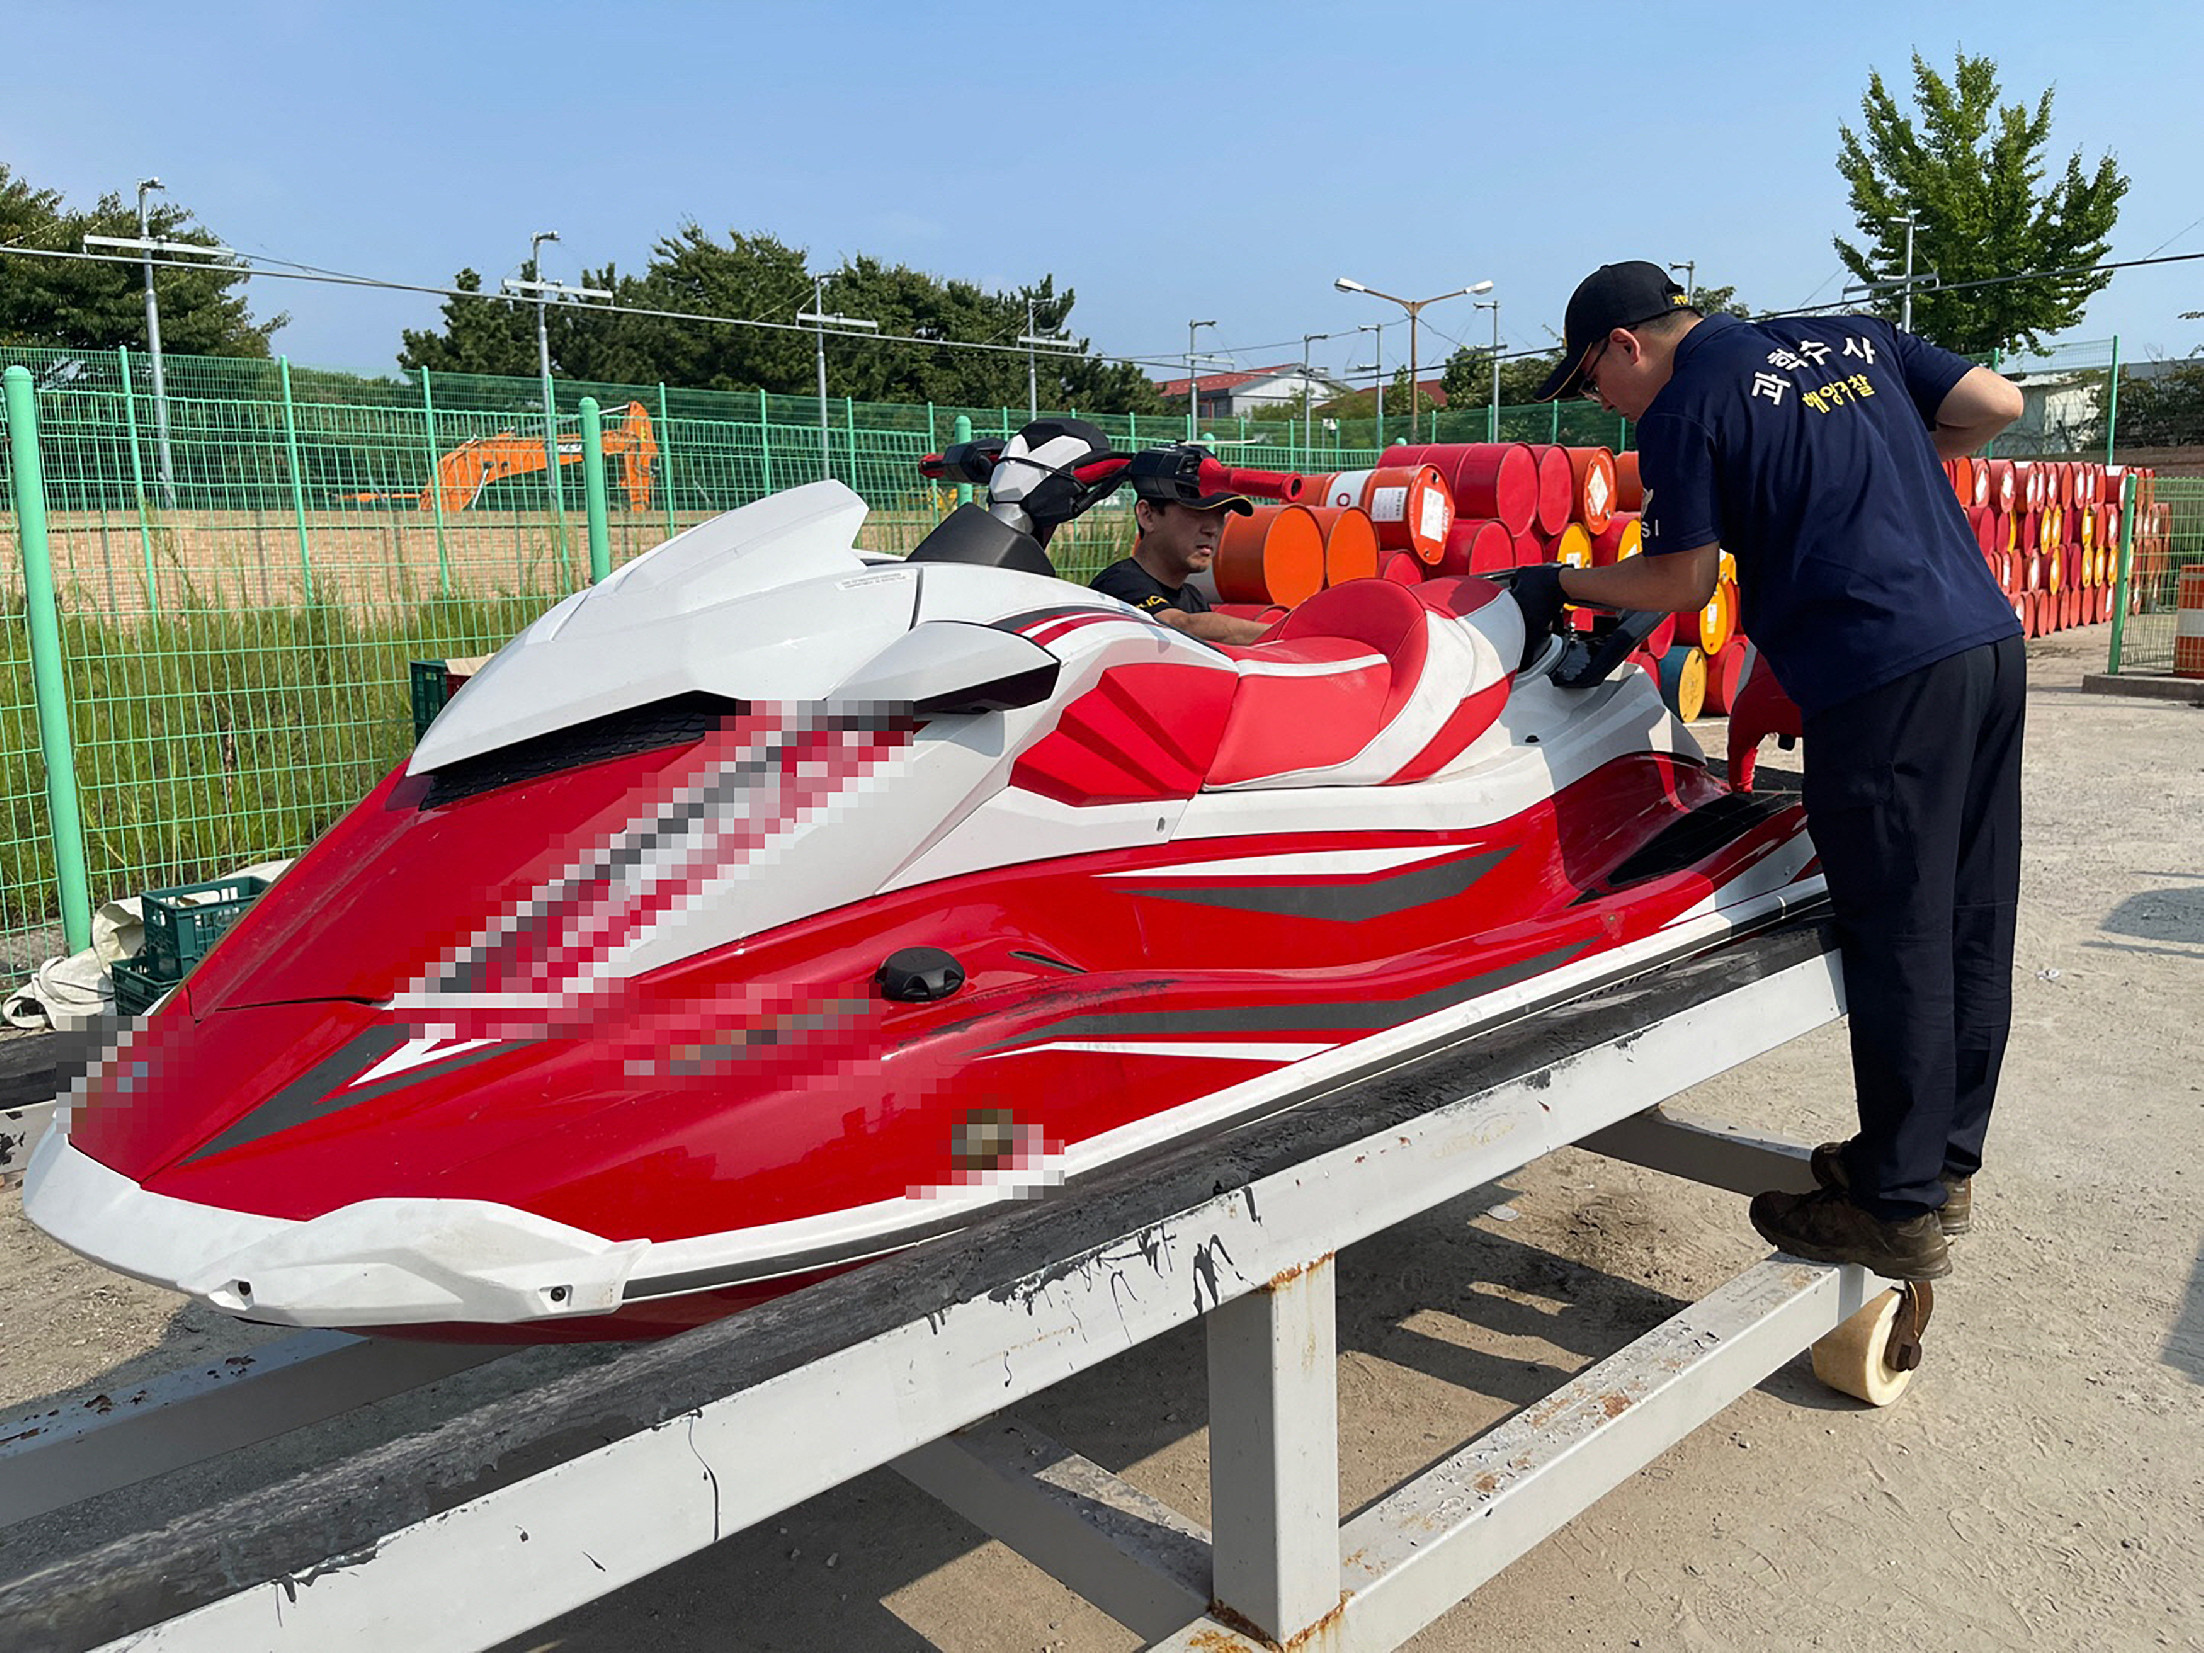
(2040, 1487)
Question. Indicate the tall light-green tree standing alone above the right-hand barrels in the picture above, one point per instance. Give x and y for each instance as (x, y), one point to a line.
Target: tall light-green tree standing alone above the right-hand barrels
(1974, 171)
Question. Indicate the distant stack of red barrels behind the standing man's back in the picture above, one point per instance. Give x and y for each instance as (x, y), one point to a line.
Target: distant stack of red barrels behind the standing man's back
(2051, 534)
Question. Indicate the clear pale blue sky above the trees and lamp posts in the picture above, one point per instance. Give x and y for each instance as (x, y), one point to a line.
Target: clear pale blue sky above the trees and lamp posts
(1167, 162)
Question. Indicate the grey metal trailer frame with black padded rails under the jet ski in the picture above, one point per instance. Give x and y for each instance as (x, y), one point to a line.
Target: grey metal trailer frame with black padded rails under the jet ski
(460, 1539)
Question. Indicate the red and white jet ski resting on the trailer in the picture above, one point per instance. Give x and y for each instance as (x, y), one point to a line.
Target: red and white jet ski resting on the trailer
(773, 907)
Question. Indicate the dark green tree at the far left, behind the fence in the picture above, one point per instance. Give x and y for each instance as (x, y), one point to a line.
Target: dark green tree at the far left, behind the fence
(96, 305)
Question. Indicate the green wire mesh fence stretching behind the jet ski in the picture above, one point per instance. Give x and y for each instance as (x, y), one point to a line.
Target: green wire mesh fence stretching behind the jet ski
(248, 565)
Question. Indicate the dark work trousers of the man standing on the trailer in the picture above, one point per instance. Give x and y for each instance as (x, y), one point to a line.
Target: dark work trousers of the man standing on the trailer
(1914, 799)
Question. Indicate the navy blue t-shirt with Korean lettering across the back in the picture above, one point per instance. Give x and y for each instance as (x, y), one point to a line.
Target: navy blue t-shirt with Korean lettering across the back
(1804, 449)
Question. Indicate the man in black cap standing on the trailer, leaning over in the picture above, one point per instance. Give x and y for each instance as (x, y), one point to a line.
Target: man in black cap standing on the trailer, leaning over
(1811, 451)
